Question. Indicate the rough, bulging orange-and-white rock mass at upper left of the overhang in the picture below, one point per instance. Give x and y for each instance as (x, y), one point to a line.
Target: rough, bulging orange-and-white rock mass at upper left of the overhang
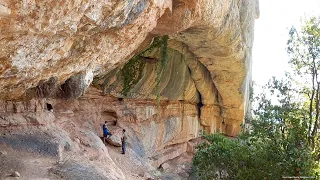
(47, 39)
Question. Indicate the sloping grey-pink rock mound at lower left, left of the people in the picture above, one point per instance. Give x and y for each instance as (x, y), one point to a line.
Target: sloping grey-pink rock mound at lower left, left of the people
(52, 142)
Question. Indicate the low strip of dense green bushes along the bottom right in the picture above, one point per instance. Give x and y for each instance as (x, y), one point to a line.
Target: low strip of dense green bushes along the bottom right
(220, 157)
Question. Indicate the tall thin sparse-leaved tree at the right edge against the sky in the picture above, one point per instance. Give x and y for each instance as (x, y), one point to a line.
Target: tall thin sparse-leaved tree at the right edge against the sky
(304, 51)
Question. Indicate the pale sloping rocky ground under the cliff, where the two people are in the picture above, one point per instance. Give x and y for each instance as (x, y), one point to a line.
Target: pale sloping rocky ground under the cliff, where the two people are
(63, 150)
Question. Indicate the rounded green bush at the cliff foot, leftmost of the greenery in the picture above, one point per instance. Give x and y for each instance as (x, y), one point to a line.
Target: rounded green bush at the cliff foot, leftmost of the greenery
(222, 158)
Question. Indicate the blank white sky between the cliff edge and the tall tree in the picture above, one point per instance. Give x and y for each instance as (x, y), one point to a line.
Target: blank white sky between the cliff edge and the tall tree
(269, 57)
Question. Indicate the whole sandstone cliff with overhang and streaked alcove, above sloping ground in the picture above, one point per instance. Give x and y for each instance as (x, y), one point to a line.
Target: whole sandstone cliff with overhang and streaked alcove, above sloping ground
(55, 51)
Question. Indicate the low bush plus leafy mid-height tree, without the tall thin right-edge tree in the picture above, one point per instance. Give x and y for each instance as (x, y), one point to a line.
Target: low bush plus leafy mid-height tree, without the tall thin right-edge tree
(276, 146)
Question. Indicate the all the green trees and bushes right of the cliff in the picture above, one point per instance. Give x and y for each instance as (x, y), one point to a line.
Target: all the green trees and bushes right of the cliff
(283, 139)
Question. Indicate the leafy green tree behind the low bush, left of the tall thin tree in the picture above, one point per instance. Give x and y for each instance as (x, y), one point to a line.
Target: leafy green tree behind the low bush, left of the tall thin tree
(281, 123)
